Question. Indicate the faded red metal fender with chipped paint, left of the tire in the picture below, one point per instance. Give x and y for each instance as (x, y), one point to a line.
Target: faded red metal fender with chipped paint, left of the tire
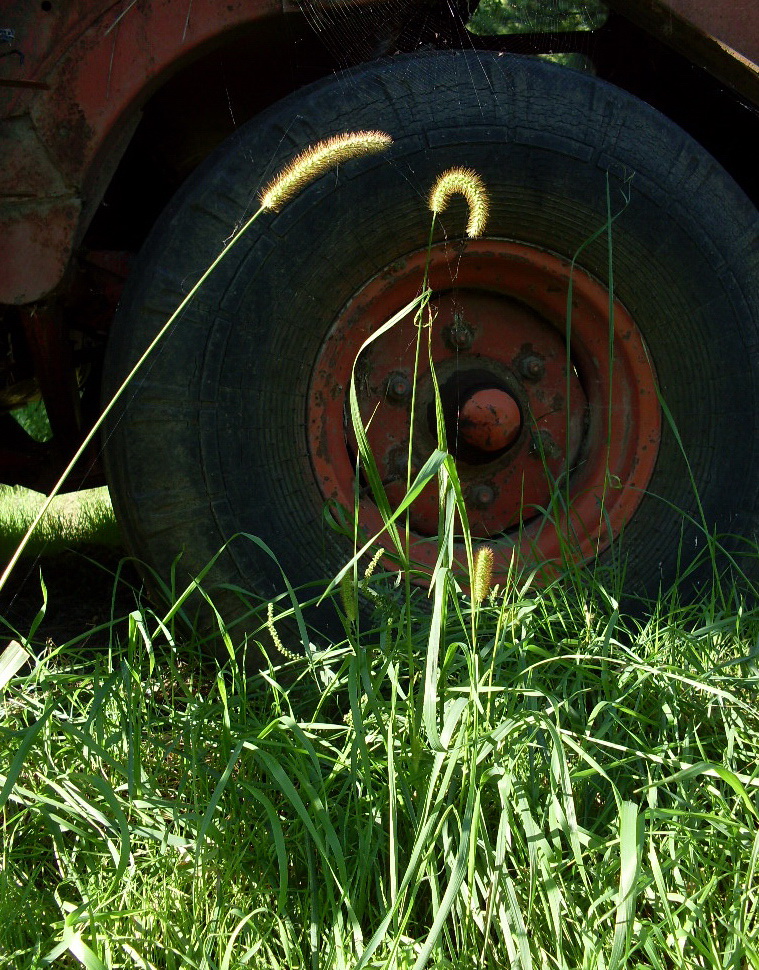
(64, 108)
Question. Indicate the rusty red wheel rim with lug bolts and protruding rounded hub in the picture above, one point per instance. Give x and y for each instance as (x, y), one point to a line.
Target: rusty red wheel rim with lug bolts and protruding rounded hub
(522, 414)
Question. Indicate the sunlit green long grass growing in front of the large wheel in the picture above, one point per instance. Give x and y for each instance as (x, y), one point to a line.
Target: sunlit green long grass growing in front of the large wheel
(566, 789)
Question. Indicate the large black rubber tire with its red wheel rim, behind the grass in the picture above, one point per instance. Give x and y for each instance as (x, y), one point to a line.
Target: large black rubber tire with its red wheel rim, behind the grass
(634, 437)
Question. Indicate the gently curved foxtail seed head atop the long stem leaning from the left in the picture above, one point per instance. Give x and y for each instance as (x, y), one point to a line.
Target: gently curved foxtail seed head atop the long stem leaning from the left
(317, 160)
